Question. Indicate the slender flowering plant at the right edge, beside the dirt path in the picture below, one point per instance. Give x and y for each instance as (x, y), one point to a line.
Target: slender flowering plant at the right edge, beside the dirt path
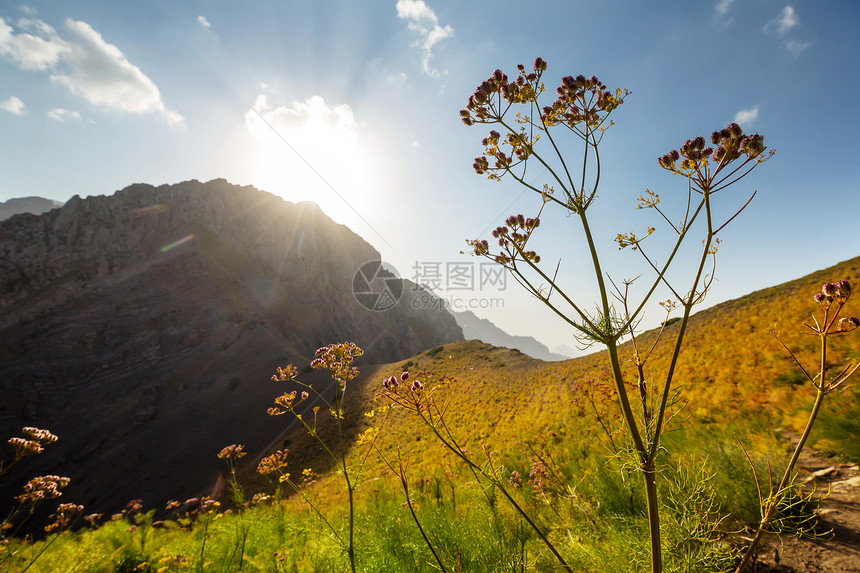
(831, 300)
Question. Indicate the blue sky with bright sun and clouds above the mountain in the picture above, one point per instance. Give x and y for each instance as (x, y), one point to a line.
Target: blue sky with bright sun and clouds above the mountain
(355, 105)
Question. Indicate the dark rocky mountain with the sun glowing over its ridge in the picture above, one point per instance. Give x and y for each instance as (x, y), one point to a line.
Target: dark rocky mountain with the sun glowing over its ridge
(143, 328)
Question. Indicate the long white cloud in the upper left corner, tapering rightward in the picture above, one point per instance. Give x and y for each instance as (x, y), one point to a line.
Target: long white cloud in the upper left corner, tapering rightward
(85, 64)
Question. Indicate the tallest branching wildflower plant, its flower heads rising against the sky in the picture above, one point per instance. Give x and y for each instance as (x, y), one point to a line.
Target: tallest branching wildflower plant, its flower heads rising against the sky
(535, 135)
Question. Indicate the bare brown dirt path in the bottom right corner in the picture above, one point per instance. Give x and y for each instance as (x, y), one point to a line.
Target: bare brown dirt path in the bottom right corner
(840, 512)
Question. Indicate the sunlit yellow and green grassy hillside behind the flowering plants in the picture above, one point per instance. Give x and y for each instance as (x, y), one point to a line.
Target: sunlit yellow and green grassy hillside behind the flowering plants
(551, 434)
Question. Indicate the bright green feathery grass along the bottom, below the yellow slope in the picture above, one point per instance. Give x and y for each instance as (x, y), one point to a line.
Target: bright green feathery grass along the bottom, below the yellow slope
(593, 510)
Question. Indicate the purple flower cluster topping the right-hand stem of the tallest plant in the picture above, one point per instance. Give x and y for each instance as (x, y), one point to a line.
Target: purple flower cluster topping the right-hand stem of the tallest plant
(730, 144)
